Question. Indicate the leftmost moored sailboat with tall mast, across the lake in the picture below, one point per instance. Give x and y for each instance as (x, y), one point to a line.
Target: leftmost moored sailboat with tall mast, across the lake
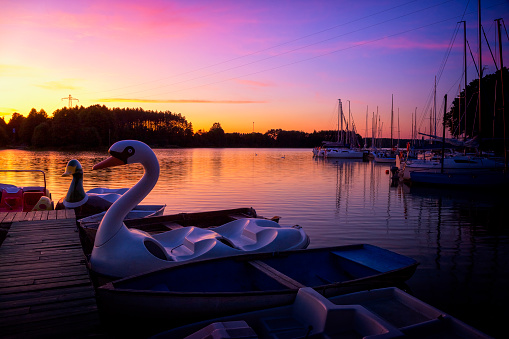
(338, 149)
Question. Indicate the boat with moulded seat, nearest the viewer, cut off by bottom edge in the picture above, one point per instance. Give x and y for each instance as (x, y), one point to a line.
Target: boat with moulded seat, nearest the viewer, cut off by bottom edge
(380, 313)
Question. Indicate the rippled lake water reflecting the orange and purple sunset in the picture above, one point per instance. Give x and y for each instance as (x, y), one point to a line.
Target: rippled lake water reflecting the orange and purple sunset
(460, 237)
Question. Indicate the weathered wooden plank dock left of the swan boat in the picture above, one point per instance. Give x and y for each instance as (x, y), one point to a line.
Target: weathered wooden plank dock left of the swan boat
(45, 290)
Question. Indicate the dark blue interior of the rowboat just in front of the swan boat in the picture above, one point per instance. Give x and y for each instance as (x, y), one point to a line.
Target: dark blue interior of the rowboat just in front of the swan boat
(267, 272)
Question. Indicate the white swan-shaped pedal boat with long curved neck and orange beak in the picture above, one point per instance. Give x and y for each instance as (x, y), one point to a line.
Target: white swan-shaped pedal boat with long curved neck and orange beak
(120, 252)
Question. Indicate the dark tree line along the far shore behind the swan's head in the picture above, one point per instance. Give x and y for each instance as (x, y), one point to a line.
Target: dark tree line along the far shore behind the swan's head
(99, 126)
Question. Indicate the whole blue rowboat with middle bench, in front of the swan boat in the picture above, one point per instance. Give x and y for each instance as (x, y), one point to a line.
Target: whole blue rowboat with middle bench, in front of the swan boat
(204, 289)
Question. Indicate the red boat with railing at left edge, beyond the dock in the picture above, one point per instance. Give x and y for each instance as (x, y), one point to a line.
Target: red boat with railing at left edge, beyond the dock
(27, 198)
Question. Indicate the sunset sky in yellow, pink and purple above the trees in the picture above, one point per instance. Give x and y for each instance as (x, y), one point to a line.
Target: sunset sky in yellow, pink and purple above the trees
(246, 64)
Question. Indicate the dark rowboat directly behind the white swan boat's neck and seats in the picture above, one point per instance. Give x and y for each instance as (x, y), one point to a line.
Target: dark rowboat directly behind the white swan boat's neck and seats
(163, 223)
